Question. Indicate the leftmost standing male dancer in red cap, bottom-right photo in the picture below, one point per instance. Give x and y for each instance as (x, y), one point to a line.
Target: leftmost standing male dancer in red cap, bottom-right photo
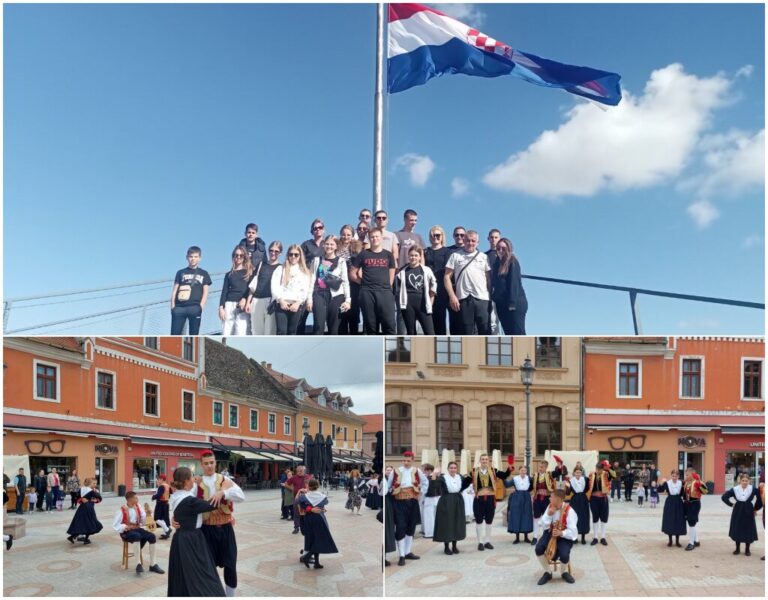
(405, 483)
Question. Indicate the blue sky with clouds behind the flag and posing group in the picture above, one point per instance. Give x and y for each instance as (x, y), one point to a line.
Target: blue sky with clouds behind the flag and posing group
(134, 131)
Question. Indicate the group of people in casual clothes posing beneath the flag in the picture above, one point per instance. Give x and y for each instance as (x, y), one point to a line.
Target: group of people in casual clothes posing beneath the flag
(396, 281)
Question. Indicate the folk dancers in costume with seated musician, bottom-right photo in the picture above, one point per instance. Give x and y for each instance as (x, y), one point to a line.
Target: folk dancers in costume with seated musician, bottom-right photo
(553, 507)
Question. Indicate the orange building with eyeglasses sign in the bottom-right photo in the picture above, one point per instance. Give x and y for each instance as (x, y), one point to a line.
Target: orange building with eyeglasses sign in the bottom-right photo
(677, 402)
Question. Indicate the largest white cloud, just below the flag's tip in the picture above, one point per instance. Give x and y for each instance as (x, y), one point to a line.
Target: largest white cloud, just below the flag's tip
(644, 141)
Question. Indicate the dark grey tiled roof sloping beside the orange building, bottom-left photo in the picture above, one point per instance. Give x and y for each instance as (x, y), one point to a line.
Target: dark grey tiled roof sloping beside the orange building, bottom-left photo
(230, 370)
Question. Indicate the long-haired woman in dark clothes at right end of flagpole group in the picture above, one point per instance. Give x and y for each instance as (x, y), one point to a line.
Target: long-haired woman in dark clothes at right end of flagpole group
(507, 290)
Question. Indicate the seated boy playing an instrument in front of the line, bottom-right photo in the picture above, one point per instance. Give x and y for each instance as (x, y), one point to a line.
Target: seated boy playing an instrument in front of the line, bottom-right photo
(561, 531)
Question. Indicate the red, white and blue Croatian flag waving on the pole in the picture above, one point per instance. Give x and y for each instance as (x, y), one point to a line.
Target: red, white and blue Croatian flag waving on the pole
(425, 43)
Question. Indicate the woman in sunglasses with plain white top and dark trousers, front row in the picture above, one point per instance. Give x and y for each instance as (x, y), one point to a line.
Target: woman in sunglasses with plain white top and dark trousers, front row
(290, 291)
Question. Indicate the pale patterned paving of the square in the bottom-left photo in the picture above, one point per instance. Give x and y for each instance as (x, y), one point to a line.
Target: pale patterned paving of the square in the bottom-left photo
(43, 563)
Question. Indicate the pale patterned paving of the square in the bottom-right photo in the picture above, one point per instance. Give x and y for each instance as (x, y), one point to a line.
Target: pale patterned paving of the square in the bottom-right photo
(637, 562)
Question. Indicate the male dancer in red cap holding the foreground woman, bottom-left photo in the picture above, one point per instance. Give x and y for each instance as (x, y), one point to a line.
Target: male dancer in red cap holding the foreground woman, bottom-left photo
(222, 493)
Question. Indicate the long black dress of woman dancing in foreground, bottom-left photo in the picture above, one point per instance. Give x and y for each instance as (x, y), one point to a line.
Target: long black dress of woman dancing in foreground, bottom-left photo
(191, 571)
